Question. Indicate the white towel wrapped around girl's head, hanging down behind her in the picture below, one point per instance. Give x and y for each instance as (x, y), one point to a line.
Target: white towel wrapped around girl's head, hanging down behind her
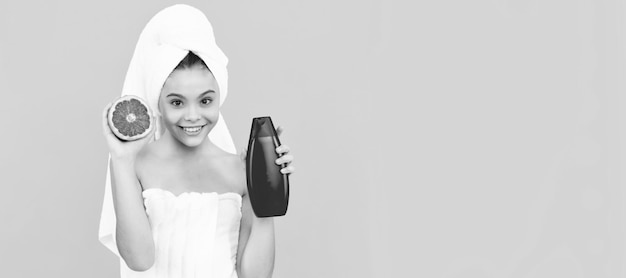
(163, 43)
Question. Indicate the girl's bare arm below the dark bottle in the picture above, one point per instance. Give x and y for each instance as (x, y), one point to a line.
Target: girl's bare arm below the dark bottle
(255, 254)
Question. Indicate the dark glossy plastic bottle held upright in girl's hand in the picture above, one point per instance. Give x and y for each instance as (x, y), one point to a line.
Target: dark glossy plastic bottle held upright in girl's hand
(268, 188)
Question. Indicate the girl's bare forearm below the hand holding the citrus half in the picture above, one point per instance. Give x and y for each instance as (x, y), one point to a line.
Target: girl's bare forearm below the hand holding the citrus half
(133, 232)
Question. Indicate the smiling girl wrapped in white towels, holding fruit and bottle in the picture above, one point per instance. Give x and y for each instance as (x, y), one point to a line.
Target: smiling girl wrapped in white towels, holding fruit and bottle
(176, 204)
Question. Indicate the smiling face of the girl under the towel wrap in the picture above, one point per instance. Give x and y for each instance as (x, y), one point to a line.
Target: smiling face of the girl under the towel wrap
(189, 104)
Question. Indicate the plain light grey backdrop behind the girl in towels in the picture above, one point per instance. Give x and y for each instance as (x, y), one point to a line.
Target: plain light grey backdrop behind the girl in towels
(431, 138)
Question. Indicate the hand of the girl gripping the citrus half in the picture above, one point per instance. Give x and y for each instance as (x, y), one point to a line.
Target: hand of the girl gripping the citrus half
(120, 149)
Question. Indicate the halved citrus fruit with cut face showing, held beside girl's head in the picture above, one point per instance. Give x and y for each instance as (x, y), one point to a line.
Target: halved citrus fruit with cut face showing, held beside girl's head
(130, 118)
